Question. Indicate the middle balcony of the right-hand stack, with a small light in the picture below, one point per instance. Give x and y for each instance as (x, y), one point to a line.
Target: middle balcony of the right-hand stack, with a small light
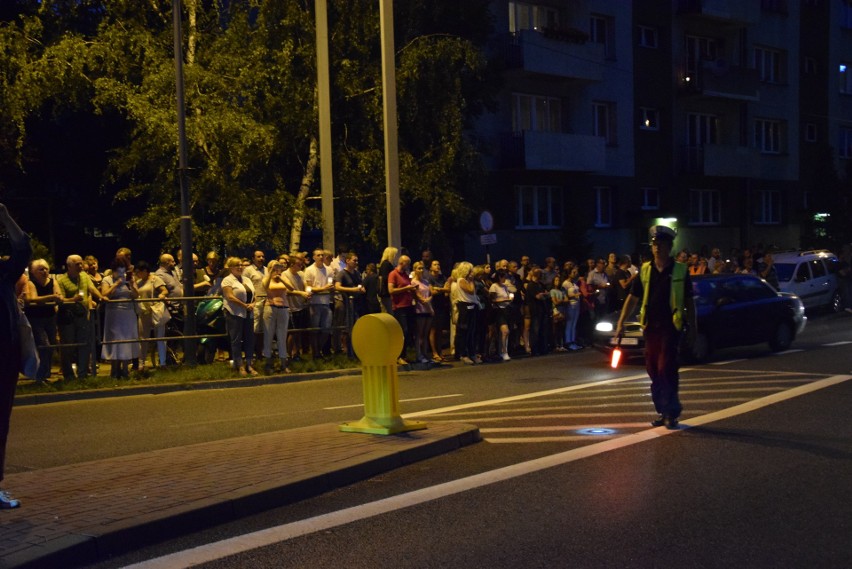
(718, 79)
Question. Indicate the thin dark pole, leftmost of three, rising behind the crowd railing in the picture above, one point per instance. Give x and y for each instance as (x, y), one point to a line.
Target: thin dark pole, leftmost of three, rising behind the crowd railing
(185, 218)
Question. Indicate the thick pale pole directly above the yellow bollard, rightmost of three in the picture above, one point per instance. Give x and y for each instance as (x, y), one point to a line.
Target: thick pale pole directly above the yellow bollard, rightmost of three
(390, 123)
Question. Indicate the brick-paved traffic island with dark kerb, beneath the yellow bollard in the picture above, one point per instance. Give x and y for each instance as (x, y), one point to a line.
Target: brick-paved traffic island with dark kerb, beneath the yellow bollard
(81, 513)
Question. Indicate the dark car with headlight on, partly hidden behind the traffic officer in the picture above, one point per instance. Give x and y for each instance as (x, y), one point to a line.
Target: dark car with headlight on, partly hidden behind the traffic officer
(733, 310)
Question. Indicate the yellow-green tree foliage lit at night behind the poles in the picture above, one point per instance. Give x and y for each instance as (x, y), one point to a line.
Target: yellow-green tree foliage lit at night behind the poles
(250, 76)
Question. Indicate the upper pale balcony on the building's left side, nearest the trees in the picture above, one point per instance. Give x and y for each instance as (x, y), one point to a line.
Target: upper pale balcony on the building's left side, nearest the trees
(558, 53)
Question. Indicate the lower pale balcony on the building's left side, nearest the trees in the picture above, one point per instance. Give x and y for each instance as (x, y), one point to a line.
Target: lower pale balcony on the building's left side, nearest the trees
(553, 151)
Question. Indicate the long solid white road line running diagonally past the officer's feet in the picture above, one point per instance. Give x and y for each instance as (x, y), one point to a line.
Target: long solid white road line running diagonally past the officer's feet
(270, 536)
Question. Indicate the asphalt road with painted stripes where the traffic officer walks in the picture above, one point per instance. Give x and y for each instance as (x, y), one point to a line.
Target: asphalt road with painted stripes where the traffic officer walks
(569, 473)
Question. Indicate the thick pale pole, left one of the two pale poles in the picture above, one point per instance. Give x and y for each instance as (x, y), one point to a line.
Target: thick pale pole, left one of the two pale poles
(324, 102)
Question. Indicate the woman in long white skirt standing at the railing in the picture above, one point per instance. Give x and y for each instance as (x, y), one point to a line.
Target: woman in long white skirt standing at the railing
(120, 320)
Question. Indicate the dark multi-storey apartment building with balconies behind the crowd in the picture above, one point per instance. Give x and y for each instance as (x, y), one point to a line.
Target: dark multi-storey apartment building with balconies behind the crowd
(717, 115)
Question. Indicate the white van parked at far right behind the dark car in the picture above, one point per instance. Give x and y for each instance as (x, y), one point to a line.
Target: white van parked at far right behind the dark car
(812, 276)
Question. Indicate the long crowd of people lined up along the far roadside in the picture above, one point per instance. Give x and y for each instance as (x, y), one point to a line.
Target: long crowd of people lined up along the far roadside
(299, 304)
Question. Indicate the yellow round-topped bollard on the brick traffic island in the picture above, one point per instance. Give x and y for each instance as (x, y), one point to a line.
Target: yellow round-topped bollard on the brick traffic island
(377, 340)
